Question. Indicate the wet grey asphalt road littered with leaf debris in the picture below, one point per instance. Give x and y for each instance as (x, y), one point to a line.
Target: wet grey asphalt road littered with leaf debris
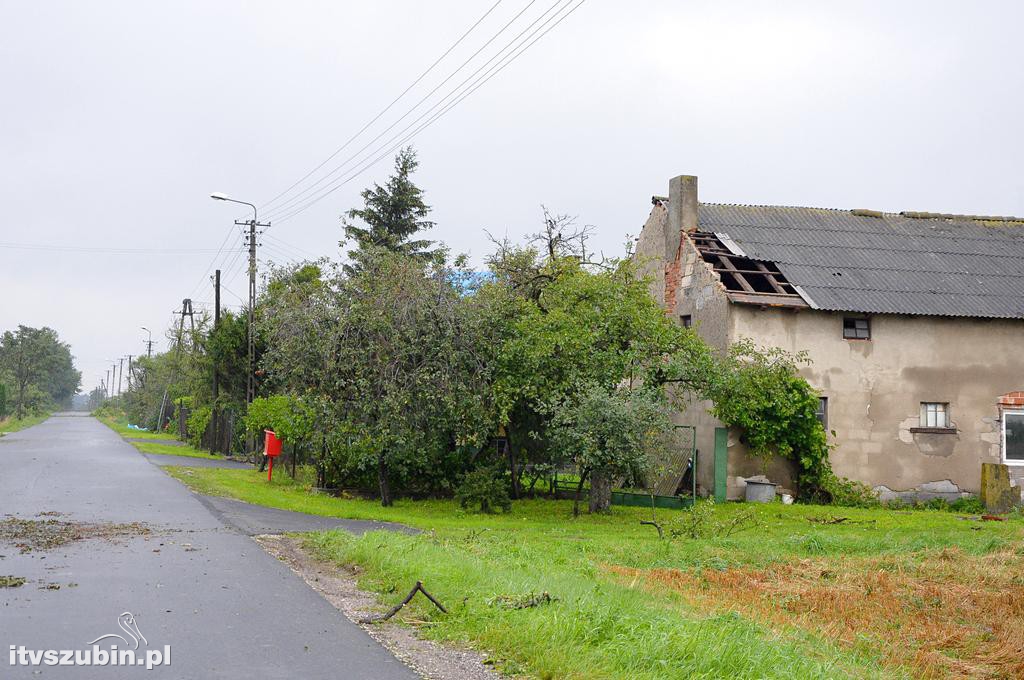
(197, 583)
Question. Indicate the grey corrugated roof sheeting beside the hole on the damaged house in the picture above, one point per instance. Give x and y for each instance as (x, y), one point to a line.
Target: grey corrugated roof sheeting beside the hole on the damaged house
(951, 267)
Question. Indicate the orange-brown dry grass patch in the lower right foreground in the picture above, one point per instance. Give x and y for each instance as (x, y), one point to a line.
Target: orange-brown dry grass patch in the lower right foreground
(940, 614)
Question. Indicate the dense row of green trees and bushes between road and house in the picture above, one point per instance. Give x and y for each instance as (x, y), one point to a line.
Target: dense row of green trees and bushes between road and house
(405, 372)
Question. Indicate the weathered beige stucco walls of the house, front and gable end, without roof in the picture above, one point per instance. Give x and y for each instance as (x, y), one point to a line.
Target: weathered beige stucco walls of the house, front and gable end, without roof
(875, 388)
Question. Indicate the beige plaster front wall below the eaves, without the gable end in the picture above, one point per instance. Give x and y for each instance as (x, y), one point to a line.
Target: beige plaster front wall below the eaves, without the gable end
(875, 390)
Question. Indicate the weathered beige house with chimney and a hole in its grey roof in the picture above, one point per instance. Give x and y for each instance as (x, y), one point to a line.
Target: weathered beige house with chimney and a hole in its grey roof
(914, 323)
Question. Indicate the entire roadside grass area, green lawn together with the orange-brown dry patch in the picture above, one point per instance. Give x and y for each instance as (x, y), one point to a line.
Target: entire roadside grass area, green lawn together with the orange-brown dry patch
(915, 593)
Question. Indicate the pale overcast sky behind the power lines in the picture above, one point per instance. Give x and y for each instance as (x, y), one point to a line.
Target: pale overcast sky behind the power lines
(118, 119)
